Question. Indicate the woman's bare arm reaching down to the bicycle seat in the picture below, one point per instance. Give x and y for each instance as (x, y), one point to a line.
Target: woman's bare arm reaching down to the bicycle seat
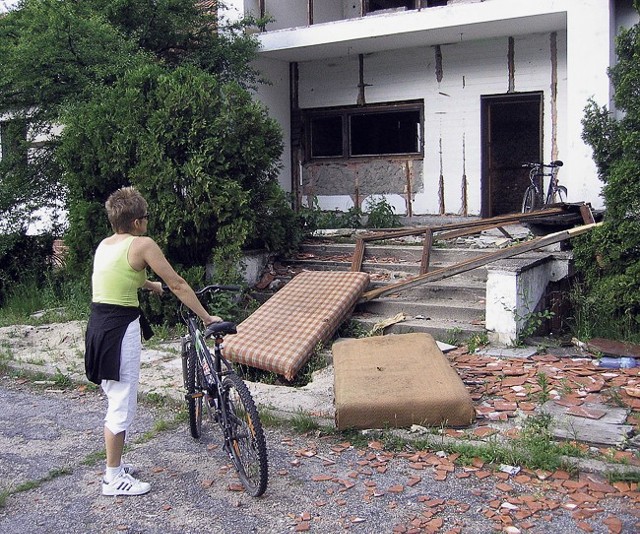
(147, 251)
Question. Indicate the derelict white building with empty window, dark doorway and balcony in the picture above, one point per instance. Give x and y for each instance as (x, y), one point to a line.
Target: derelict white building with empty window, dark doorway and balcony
(434, 104)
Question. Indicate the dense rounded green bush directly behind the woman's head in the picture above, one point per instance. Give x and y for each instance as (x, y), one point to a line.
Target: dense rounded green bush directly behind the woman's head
(203, 154)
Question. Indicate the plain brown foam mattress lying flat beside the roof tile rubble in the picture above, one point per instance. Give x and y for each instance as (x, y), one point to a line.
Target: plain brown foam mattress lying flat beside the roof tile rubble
(396, 381)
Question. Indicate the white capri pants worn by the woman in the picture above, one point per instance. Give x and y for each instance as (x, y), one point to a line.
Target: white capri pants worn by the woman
(122, 395)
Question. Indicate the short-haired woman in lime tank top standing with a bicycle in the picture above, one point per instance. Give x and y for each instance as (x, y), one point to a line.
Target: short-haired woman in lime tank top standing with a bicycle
(113, 342)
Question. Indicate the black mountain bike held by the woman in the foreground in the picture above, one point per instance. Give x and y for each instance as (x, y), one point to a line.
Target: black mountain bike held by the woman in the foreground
(211, 381)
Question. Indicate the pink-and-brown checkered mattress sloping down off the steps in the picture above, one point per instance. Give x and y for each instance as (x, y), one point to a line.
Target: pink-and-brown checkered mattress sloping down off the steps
(282, 334)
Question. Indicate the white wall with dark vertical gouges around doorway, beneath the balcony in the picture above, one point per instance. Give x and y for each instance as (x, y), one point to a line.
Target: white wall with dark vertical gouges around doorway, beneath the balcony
(452, 106)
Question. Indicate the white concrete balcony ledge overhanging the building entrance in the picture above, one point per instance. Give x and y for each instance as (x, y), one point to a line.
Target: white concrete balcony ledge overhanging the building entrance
(298, 36)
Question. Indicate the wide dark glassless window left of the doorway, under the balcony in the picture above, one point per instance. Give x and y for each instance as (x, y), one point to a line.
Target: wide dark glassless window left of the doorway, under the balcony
(366, 131)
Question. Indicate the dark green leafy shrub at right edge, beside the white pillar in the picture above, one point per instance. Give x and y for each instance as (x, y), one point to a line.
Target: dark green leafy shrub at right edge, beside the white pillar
(609, 256)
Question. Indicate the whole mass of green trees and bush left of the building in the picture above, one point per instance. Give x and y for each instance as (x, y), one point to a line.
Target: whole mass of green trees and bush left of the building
(151, 93)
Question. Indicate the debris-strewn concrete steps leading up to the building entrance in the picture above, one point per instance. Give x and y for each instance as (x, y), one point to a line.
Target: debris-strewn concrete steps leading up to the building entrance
(451, 310)
